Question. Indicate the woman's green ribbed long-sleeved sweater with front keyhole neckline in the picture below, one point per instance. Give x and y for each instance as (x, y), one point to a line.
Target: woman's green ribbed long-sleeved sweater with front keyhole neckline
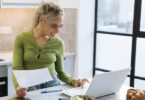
(26, 51)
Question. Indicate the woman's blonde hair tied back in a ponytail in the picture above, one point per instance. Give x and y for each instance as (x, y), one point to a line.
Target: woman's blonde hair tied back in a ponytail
(48, 11)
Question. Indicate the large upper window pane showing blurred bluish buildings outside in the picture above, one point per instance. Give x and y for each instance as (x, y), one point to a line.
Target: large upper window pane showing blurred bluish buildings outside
(115, 16)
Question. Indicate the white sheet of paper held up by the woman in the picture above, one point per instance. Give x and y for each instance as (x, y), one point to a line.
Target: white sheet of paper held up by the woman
(27, 78)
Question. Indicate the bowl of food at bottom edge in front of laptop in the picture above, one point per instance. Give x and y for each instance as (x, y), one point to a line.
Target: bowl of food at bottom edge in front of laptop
(82, 97)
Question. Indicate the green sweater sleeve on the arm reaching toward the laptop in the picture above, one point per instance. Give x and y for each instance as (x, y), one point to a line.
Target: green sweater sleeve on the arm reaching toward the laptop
(60, 68)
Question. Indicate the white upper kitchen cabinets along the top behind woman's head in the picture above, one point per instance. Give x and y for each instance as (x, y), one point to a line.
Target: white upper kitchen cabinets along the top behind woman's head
(35, 3)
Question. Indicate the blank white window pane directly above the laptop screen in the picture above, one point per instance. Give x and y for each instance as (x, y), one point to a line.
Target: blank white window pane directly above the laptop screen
(113, 52)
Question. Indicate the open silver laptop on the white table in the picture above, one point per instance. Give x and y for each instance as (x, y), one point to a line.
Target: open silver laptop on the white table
(102, 84)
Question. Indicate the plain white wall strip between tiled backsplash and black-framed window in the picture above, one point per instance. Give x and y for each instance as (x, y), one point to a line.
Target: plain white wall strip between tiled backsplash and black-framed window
(85, 39)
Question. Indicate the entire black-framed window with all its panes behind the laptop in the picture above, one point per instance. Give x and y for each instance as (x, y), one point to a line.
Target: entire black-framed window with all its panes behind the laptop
(119, 38)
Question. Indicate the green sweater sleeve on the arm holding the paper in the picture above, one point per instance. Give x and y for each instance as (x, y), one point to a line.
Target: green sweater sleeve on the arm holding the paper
(17, 58)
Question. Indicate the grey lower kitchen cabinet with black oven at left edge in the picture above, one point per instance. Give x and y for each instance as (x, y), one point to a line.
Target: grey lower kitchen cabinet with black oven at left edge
(6, 84)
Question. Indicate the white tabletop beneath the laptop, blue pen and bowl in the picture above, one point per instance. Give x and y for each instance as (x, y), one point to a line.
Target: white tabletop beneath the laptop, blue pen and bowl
(36, 95)
